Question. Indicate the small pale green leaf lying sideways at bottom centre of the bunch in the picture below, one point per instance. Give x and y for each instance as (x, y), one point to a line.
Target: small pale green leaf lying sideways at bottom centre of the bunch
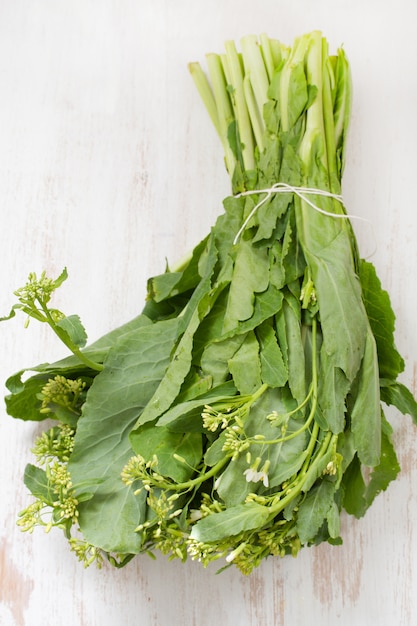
(229, 522)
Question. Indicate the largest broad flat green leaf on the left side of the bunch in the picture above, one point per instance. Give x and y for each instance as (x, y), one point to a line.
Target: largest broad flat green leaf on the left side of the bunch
(132, 371)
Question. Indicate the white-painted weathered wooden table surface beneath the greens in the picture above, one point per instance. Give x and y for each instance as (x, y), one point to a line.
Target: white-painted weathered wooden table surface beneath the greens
(109, 165)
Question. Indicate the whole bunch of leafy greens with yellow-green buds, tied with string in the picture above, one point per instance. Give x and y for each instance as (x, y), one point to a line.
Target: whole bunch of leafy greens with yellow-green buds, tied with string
(240, 412)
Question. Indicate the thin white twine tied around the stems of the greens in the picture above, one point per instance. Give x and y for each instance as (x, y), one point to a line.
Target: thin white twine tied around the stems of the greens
(301, 192)
